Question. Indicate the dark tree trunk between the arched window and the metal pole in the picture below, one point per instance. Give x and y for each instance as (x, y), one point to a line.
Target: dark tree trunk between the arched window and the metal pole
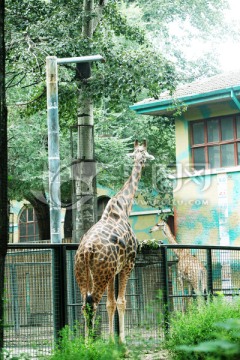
(41, 208)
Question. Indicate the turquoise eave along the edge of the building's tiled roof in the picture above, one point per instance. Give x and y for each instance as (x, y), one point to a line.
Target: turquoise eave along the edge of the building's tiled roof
(167, 106)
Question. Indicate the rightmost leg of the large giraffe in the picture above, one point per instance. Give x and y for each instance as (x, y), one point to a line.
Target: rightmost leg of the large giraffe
(121, 302)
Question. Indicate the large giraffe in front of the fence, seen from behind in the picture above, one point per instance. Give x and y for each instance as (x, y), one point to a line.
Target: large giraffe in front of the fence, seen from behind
(109, 248)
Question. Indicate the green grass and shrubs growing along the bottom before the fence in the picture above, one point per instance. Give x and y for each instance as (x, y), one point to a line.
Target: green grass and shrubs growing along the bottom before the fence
(208, 330)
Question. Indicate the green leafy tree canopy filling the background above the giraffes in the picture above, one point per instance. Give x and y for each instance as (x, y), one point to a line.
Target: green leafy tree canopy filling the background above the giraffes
(134, 38)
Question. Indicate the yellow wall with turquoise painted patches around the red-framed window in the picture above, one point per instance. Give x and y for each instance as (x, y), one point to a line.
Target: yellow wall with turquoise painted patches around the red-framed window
(206, 206)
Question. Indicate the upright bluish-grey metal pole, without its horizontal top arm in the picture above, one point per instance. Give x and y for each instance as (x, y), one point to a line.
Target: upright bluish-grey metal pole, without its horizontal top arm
(54, 182)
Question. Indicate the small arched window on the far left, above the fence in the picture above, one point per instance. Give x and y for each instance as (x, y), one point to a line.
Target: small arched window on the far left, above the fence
(28, 226)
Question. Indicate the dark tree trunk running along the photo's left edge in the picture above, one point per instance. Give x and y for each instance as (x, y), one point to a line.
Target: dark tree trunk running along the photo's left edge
(4, 219)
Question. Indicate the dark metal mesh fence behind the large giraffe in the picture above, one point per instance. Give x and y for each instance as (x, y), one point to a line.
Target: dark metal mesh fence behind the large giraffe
(42, 296)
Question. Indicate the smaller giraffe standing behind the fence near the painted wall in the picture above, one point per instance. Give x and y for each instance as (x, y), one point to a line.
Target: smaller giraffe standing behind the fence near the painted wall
(189, 267)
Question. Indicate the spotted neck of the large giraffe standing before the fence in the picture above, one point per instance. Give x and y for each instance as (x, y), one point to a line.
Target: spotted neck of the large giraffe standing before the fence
(126, 195)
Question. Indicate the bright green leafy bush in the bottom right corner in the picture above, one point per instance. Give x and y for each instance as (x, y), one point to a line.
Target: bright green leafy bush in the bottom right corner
(198, 325)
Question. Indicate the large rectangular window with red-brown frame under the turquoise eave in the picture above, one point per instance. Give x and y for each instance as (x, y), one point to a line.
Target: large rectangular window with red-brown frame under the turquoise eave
(215, 142)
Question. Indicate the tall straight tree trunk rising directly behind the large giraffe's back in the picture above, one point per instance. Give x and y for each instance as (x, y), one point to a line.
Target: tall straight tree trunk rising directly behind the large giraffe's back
(84, 183)
